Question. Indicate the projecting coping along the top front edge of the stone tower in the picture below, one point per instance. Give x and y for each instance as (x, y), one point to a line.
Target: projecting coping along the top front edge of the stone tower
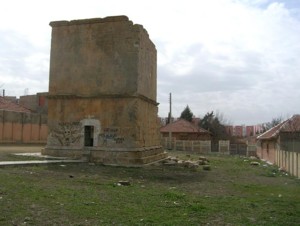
(89, 21)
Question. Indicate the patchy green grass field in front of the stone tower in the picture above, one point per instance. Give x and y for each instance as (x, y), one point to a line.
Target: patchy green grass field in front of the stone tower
(232, 193)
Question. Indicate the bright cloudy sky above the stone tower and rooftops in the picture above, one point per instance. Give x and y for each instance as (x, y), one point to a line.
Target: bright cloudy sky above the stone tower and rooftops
(240, 58)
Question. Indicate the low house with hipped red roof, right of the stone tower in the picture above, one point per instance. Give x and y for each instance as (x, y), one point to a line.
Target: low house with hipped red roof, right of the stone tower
(182, 129)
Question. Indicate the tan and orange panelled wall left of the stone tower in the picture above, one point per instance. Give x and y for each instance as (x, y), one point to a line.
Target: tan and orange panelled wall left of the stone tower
(22, 128)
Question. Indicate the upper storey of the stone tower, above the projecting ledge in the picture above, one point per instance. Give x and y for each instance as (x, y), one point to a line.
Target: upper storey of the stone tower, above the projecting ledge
(102, 56)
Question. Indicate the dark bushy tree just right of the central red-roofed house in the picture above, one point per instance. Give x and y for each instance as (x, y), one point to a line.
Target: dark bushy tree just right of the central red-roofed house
(213, 124)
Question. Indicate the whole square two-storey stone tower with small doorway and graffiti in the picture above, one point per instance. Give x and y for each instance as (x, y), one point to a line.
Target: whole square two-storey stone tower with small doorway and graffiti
(102, 92)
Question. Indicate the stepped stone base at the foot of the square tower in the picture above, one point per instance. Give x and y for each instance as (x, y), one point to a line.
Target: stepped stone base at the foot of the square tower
(111, 156)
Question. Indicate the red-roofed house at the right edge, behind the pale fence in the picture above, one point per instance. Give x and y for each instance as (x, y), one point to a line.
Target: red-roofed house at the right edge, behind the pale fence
(284, 136)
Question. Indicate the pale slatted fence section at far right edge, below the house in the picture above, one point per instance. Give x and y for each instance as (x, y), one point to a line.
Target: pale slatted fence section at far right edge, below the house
(288, 161)
